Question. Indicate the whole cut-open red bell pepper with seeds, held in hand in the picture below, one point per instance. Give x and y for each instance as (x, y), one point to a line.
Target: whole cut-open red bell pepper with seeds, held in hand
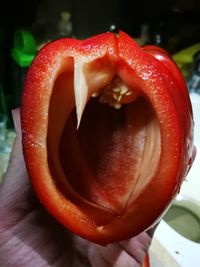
(107, 135)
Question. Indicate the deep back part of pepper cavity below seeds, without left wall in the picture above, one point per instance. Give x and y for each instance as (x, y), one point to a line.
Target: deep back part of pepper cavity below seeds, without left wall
(112, 155)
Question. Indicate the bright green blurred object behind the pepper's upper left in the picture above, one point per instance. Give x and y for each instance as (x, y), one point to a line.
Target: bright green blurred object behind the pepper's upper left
(24, 49)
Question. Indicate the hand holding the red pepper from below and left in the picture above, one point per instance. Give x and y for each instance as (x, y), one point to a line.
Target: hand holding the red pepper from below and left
(30, 236)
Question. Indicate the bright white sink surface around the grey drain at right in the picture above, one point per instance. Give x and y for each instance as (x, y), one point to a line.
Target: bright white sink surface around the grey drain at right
(174, 249)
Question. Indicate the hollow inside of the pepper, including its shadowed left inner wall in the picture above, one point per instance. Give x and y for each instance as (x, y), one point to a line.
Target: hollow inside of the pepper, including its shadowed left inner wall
(113, 155)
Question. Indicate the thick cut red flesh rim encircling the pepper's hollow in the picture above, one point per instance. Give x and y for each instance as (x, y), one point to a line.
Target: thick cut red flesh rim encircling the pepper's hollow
(169, 100)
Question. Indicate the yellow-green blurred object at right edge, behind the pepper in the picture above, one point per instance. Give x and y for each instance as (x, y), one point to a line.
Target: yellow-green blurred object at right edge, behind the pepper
(185, 58)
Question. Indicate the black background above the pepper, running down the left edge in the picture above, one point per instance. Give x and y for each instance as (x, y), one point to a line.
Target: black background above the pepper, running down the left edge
(173, 24)
